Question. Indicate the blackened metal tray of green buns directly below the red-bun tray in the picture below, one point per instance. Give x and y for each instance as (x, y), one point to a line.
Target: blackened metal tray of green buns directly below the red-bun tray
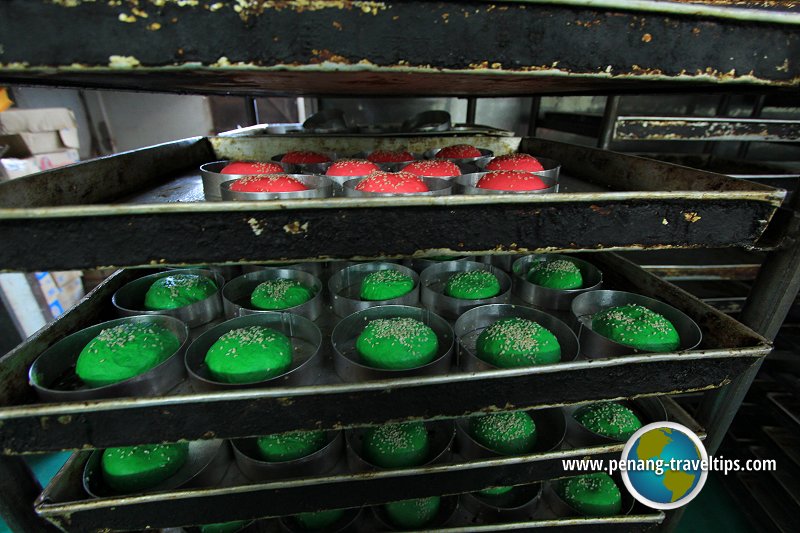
(728, 349)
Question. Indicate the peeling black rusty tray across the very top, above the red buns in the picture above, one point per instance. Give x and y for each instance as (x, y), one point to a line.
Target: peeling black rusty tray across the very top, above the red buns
(482, 48)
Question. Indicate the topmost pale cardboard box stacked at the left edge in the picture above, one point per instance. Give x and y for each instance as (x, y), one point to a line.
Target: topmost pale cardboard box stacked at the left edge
(30, 132)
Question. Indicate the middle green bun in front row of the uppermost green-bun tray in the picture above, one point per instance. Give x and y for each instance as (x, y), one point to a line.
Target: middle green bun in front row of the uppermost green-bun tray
(397, 343)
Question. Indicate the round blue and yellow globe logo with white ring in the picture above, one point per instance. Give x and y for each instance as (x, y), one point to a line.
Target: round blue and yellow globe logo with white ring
(664, 465)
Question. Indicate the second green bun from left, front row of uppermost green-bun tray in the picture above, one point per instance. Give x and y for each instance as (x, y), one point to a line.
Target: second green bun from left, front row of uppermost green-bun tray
(247, 355)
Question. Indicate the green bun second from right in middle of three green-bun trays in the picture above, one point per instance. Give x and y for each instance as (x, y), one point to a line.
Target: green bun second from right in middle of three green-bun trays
(508, 433)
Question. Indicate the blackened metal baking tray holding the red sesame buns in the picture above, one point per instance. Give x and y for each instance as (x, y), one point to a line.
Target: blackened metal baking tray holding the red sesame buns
(146, 207)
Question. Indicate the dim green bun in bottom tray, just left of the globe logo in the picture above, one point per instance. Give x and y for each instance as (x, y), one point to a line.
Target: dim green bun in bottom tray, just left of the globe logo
(592, 494)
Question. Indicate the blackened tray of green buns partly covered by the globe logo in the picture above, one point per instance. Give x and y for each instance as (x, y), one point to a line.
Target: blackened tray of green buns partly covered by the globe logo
(65, 503)
